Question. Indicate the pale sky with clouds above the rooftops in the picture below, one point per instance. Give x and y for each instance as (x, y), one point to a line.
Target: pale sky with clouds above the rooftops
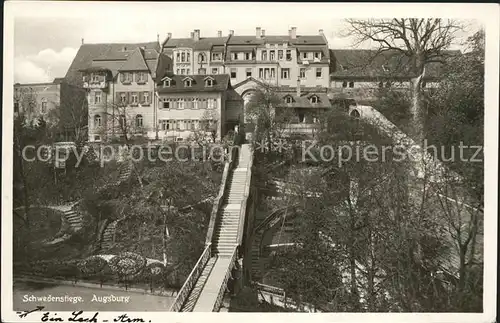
(47, 35)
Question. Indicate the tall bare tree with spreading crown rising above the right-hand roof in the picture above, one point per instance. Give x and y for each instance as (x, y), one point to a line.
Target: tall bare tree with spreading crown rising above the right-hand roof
(421, 41)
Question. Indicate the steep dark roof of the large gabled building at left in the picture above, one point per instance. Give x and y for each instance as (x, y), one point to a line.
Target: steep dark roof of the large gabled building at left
(88, 53)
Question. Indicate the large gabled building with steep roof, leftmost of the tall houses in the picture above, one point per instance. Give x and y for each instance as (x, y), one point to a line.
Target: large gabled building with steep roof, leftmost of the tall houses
(120, 84)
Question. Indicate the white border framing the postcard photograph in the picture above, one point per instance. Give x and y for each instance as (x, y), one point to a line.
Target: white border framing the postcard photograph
(487, 14)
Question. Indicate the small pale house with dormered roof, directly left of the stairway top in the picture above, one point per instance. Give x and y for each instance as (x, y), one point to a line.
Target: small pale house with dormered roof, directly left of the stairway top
(196, 107)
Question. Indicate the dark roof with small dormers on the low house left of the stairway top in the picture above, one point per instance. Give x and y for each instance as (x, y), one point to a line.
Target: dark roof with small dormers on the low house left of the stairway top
(220, 84)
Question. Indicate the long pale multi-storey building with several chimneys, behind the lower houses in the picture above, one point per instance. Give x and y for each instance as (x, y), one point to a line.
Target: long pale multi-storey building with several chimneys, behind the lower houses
(274, 59)
